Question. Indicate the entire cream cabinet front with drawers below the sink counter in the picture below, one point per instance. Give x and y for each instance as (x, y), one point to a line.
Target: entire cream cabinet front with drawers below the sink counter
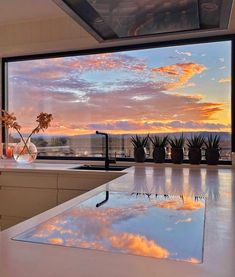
(25, 194)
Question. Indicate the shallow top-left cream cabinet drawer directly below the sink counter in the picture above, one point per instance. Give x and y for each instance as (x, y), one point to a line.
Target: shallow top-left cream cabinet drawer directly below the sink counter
(21, 179)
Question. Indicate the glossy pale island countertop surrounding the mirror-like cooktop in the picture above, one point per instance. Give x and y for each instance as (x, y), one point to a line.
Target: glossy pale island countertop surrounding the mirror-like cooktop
(18, 258)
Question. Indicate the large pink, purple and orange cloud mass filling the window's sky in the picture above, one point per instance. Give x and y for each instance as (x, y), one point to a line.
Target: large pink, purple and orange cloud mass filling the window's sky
(56, 86)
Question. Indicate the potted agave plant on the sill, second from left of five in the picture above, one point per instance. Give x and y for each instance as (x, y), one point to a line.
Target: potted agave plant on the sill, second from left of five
(159, 151)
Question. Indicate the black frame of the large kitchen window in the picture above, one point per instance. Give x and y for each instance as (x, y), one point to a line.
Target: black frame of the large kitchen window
(111, 49)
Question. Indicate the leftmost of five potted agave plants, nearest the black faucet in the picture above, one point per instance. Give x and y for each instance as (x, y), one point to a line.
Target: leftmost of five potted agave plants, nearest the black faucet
(139, 144)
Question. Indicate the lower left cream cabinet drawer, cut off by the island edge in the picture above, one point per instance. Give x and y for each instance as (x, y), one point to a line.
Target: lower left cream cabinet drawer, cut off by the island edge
(26, 202)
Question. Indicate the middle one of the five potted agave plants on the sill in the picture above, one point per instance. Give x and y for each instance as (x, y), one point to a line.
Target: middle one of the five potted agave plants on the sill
(177, 152)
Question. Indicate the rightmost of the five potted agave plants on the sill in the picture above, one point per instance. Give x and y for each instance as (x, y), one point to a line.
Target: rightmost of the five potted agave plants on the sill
(212, 144)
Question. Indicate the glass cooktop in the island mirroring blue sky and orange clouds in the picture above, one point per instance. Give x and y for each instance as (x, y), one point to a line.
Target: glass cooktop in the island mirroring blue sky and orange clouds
(159, 227)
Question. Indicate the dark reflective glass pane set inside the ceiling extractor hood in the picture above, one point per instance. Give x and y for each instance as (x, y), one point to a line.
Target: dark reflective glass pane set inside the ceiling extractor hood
(139, 18)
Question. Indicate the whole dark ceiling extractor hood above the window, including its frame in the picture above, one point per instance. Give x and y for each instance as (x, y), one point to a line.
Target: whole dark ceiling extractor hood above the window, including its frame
(131, 19)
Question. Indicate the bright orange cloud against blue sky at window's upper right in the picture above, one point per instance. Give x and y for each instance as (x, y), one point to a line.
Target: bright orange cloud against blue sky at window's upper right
(181, 73)
